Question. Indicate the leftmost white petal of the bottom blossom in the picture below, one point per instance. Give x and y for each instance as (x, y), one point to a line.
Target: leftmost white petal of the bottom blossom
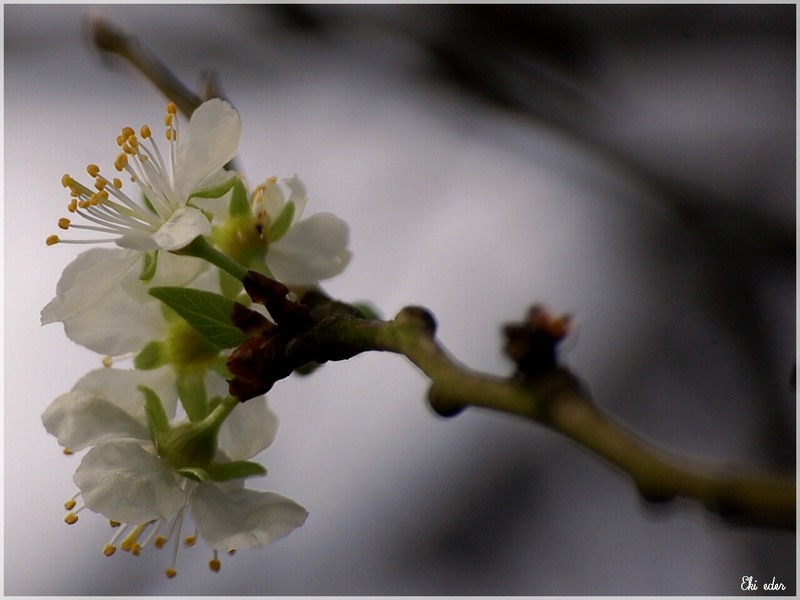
(81, 419)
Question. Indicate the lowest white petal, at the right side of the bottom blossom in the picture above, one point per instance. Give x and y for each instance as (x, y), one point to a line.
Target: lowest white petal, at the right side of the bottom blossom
(242, 518)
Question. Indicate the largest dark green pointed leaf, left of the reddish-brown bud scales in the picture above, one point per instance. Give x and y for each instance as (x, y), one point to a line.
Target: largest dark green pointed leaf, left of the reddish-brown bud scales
(208, 313)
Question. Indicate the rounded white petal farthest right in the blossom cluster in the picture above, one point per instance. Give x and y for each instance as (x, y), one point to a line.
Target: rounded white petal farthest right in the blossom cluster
(312, 250)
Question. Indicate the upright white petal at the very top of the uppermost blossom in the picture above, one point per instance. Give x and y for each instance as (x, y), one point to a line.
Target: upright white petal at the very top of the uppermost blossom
(210, 140)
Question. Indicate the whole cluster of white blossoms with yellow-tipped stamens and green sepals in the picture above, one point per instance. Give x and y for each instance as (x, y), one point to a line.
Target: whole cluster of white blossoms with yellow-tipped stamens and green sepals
(165, 442)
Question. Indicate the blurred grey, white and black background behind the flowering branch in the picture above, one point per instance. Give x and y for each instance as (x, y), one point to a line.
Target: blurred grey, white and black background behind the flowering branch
(632, 165)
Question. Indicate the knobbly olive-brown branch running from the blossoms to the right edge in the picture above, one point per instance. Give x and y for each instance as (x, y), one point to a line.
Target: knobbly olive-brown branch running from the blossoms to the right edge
(318, 329)
